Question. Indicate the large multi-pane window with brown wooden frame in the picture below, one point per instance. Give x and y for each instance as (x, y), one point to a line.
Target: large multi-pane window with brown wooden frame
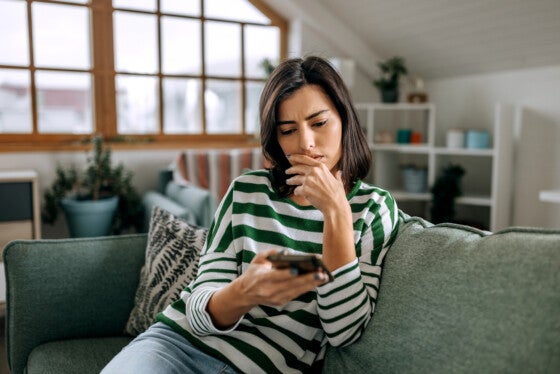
(167, 70)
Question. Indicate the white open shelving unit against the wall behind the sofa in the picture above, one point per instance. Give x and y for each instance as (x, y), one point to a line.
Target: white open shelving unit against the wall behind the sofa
(487, 181)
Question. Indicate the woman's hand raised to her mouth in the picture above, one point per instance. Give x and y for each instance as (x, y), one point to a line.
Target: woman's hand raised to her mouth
(317, 184)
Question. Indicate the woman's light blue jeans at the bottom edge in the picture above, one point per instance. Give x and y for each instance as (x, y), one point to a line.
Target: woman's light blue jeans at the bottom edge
(161, 350)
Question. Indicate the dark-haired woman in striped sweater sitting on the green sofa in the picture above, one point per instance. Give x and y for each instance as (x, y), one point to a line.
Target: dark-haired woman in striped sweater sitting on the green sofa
(241, 313)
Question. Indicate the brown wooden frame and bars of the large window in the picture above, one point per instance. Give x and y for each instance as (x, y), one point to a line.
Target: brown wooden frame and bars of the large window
(104, 104)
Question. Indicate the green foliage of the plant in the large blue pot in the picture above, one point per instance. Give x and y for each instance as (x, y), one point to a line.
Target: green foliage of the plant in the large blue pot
(99, 180)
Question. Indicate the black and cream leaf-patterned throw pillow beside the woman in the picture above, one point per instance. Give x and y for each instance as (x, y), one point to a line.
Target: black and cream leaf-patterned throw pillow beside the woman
(172, 256)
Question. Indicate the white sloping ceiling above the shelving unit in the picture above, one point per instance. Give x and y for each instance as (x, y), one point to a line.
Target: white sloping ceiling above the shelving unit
(443, 38)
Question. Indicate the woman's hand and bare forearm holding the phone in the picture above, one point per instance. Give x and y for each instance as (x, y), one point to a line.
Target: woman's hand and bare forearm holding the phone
(261, 284)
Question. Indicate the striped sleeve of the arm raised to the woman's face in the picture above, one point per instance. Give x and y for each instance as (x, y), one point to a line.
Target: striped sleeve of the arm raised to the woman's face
(346, 305)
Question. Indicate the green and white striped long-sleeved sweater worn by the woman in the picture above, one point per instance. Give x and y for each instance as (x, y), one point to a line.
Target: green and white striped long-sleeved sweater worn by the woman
(252, 218)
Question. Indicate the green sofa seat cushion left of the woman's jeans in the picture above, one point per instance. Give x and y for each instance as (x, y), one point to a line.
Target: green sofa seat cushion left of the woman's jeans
(74, 356)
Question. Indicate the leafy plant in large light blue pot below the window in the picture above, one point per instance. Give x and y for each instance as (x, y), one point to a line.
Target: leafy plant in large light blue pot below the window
(99, 201)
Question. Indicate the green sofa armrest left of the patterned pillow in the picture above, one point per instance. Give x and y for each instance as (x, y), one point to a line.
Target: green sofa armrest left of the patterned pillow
(67, 289)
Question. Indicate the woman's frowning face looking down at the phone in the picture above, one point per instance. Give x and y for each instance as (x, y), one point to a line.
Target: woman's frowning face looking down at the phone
(310, 125)
